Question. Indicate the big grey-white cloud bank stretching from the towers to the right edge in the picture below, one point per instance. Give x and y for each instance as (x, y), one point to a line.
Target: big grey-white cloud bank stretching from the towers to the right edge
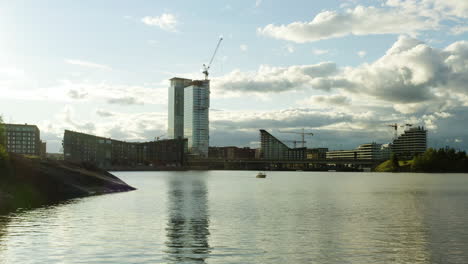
(412, 76)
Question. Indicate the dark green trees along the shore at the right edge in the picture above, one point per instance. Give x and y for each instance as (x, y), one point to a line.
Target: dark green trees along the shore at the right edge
(442, 160)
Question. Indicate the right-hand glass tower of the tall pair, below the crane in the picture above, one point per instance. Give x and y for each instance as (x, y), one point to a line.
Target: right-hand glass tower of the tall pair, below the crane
(196, 117)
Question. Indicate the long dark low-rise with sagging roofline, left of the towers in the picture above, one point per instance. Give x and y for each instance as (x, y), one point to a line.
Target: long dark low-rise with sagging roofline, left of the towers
(107, 153)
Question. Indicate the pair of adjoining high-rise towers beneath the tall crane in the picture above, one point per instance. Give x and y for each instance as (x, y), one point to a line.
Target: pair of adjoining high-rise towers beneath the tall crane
(189, 102)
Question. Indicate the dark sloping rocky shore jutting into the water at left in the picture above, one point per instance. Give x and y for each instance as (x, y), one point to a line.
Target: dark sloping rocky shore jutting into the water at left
(30, 182)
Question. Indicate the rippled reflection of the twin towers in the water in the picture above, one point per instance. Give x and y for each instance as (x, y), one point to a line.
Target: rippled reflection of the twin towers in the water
(188, 224)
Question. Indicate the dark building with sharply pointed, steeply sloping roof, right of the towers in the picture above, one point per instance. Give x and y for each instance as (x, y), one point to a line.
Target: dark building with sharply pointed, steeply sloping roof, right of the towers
(274, 149)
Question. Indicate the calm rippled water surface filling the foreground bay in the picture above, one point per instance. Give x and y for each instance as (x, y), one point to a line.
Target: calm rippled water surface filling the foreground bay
(232, 217)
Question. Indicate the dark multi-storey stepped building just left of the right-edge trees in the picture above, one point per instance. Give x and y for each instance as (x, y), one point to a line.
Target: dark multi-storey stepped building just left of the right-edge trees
(411, 143)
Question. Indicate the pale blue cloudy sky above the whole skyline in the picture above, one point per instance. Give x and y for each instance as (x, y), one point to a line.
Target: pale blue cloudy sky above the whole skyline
(343, 70)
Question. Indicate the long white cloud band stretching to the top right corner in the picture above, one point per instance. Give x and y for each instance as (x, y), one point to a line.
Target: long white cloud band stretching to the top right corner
(419, 16)
